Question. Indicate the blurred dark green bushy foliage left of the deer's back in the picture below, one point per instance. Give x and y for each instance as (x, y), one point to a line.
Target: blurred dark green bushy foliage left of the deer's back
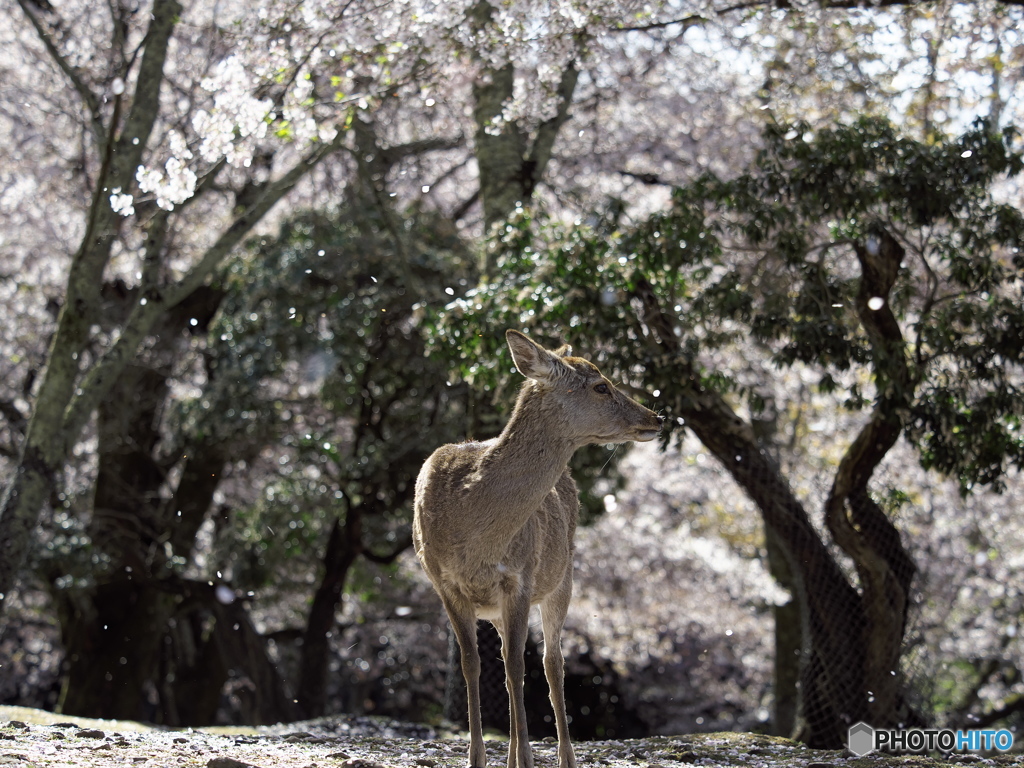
(319, 340)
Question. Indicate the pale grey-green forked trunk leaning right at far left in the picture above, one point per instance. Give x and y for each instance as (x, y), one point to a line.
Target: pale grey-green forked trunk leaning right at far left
(68, 397)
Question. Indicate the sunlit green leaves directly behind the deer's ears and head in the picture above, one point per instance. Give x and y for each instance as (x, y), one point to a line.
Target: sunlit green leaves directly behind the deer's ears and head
(470, 333)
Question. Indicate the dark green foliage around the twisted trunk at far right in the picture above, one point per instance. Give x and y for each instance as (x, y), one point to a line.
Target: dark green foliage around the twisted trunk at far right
(959, 294)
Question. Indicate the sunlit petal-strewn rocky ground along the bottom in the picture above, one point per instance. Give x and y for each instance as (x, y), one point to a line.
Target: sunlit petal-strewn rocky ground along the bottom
(40, 740)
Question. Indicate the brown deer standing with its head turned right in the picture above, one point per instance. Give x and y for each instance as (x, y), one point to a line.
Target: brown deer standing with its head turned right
(495, 521)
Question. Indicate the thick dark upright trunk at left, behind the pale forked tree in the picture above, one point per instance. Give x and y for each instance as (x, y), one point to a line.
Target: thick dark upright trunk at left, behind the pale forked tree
(112, 631)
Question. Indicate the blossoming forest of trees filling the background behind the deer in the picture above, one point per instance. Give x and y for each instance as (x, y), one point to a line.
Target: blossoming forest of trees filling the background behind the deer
(257, 263)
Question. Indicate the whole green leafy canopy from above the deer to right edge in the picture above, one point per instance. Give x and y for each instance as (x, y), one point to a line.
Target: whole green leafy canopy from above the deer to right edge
(770, 258)
